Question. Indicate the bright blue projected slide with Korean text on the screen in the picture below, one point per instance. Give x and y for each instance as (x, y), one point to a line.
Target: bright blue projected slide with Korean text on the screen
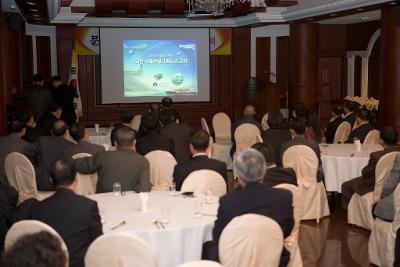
(160, 67)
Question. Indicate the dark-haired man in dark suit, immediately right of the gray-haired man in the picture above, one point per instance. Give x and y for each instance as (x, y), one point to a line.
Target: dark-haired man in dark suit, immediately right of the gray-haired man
(275, 175)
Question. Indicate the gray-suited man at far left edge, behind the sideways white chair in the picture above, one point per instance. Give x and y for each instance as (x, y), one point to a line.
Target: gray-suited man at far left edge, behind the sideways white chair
(11, 143)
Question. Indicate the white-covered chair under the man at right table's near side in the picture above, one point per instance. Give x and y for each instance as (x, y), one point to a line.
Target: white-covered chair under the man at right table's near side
(359, 211)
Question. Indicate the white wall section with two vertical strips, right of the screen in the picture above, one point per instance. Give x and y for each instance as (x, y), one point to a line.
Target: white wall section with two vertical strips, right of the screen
(272, 31)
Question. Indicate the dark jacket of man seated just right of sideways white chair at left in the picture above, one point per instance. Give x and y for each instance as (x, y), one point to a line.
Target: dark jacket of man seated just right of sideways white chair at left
(43, 154)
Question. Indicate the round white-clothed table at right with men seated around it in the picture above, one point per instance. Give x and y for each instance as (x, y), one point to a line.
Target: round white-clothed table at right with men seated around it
(341, 163)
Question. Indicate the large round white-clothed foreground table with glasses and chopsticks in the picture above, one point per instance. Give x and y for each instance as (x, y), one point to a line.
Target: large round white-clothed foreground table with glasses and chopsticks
(184, 234)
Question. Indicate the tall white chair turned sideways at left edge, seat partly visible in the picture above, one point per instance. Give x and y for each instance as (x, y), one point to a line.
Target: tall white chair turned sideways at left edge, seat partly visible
(21, 175)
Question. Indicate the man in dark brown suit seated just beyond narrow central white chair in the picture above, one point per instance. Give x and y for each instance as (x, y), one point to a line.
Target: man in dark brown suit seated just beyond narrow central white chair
(178, 132)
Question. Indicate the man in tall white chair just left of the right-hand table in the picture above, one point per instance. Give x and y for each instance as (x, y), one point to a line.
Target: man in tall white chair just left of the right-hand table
(297, 129)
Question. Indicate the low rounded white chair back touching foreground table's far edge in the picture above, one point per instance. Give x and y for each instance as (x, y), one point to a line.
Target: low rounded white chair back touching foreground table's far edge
(202, 181)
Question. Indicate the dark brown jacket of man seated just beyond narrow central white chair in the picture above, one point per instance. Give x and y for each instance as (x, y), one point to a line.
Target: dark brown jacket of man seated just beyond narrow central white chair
(180, 135)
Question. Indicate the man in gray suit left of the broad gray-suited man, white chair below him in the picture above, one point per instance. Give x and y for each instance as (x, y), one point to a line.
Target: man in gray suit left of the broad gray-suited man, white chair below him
(81, 136)
